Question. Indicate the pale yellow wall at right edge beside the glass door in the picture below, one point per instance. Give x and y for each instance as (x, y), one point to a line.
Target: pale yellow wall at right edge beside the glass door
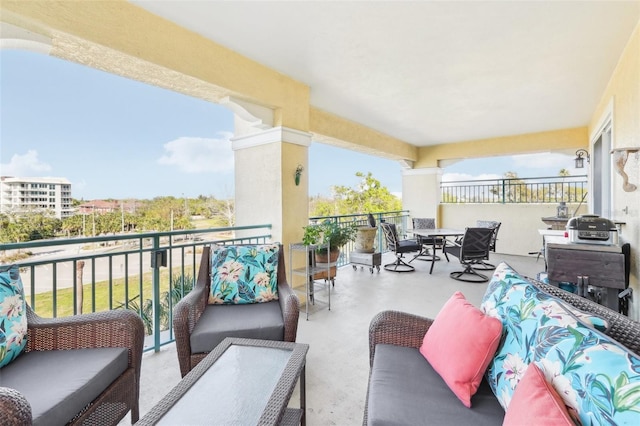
(623, 92)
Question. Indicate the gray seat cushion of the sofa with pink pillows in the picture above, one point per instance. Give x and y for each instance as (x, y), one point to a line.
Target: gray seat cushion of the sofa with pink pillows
(405, 389)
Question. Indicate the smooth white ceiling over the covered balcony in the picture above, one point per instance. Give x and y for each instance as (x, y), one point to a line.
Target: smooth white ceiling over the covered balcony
(430, 72)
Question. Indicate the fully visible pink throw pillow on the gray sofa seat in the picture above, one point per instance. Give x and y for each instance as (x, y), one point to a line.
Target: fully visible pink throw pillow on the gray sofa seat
(460, 344)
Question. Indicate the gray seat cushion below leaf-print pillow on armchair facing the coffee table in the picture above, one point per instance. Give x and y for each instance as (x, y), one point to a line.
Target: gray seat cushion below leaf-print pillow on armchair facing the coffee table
(252, 321)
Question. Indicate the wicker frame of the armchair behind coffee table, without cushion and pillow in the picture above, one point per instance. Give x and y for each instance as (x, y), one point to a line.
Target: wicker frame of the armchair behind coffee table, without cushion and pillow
(188, 312)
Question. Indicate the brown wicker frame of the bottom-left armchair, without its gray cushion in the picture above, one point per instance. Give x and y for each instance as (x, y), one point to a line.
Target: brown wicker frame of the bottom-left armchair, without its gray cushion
(110, 329)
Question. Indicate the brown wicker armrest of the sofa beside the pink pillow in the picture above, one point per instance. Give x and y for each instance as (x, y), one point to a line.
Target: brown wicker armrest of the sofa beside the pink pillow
(397, 328)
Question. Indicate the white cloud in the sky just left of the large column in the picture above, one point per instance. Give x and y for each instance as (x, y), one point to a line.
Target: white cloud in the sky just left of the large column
(199, 155)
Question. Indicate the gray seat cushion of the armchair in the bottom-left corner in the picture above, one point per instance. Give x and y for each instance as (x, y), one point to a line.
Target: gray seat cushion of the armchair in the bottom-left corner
(59, 384)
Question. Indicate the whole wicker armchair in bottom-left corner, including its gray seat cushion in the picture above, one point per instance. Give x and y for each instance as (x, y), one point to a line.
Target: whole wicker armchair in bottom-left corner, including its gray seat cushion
(83, 369)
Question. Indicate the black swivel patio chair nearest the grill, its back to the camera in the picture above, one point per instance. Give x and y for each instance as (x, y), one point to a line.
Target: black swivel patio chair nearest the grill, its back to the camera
(471, 251)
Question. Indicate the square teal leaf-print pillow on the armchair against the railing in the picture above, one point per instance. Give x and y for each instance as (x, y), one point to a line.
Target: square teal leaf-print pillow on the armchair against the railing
(244, 274)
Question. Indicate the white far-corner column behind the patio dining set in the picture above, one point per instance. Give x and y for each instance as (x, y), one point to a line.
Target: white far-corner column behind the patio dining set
(421, 192)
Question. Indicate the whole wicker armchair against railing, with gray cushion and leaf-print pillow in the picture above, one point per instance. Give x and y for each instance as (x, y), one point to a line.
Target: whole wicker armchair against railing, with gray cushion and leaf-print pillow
(256, 303)
